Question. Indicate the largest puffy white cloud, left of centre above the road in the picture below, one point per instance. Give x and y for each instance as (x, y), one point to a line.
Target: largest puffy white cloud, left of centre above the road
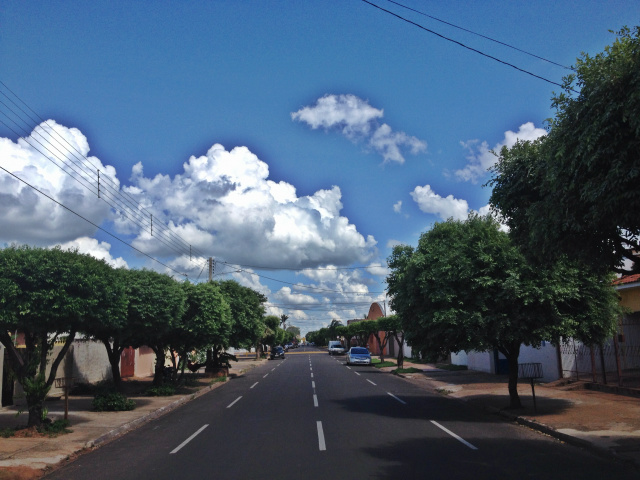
(224, 203)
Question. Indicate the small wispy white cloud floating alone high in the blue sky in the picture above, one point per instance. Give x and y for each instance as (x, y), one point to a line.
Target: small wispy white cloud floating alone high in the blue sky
(358, 121)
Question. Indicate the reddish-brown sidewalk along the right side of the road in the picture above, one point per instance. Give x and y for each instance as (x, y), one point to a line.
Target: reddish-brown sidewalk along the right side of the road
(604, 423)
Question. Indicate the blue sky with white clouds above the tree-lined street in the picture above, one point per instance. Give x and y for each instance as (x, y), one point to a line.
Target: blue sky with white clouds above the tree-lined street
(287, 135)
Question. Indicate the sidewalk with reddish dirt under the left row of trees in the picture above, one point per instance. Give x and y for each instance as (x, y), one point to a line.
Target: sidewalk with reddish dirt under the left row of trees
(24, 458)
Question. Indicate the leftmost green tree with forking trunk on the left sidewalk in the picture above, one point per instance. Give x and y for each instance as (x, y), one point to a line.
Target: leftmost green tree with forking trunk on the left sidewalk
(49, 296)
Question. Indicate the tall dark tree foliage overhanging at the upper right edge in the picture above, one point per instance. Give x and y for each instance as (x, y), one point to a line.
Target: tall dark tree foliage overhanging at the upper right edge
(575, 193)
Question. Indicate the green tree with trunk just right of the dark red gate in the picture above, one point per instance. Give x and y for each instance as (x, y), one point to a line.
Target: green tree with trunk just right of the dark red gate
(156, 305)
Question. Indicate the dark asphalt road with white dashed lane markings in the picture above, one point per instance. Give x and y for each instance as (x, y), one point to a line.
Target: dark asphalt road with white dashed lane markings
(310, 416)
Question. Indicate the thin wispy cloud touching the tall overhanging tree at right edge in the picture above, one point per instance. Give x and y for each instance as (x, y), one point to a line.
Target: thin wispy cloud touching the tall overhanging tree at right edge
(481, 157)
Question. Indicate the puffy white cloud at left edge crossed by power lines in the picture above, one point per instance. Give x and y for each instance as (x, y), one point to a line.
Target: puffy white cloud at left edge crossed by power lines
(28, 216)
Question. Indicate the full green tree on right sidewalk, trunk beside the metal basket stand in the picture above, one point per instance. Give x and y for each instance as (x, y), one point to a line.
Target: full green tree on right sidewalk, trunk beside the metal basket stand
(467, 287)
